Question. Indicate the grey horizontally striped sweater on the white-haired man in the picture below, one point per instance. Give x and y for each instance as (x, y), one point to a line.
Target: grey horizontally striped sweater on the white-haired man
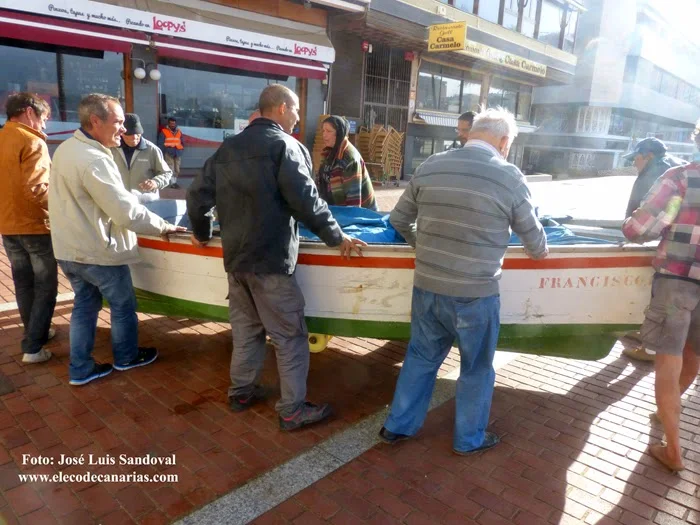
(457, 212)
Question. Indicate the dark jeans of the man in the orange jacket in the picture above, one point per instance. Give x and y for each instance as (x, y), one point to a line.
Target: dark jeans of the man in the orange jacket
(35, 275)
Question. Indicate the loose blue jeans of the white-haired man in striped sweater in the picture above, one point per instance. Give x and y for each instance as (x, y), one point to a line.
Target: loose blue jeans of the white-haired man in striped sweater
(436, 322)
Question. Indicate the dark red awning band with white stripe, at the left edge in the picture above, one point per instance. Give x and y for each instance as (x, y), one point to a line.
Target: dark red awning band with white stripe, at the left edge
(58, 32)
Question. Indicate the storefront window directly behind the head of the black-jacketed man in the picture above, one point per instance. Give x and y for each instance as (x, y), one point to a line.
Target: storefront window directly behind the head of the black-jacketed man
(209, 102)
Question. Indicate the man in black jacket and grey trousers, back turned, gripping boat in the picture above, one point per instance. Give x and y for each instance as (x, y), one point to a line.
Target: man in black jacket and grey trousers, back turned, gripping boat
(261, 184)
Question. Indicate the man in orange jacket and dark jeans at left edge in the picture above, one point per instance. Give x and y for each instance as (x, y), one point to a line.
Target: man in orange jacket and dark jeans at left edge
(24, 219)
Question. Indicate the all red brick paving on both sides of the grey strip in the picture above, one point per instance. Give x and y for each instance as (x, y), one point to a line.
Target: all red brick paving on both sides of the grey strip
(575, 435)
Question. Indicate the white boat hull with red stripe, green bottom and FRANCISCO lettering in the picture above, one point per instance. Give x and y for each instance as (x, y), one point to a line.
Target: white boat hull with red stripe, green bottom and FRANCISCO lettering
(575, 303)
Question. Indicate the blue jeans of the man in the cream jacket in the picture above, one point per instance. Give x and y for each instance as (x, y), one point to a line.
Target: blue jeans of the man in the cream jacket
(91, 283)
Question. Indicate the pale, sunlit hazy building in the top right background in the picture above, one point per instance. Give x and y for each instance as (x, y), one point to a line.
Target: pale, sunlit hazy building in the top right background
(637, 77)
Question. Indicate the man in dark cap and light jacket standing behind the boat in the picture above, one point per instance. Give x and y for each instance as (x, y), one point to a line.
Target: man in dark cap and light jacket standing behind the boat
(140, 162)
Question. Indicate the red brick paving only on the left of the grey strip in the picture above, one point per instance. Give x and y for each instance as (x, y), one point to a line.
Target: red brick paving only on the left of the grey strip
(178, 405)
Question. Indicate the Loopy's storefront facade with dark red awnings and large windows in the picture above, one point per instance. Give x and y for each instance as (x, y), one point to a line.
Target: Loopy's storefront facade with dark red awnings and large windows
(202, 63)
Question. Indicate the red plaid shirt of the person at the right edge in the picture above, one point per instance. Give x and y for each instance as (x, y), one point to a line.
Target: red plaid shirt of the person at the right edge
(671, 210)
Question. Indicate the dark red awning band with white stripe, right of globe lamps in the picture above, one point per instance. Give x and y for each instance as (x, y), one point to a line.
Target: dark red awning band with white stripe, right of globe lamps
(238, 58)
